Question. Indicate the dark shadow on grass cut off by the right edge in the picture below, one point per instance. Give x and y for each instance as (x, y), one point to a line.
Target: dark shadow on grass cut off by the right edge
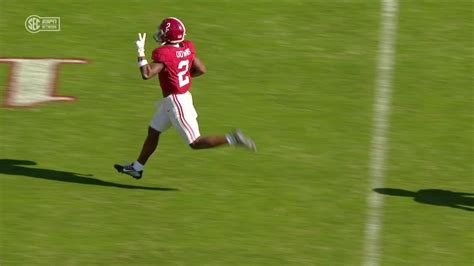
(439, 197)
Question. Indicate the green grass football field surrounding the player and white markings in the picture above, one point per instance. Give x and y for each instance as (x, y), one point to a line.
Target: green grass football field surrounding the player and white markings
(298, 76)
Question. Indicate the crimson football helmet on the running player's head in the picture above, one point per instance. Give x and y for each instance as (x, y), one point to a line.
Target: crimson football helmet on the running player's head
(171, 30)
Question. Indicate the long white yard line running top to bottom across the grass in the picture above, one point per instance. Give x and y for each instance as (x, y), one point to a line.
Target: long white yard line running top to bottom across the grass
(379, 145)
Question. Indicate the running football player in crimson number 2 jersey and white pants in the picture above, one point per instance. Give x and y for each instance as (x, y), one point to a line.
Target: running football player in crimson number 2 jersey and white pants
(175, 63)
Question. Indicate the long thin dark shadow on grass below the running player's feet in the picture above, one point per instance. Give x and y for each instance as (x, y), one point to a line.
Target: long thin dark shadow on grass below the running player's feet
(17, 167)
